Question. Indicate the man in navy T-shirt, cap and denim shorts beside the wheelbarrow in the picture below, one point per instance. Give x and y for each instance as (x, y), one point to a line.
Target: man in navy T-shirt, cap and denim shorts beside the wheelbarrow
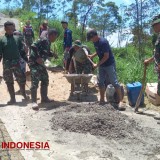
(106, 66)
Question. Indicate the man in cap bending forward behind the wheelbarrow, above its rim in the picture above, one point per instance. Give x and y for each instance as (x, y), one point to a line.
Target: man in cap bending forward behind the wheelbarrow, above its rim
(79, 53)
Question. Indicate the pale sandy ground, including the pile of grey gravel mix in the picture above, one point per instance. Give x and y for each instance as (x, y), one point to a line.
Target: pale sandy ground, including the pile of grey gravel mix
(79, 130)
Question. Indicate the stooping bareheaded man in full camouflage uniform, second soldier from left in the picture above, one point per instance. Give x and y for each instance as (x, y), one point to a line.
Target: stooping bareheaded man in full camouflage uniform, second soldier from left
(40, 51)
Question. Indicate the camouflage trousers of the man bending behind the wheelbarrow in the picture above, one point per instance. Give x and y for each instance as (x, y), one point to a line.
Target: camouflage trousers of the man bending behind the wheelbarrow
(85, 67)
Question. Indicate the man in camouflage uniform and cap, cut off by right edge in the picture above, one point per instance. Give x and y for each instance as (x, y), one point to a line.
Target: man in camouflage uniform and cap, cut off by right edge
(156, 56)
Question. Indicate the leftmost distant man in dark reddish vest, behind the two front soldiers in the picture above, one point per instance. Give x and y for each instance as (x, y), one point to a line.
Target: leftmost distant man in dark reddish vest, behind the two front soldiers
(28, 35)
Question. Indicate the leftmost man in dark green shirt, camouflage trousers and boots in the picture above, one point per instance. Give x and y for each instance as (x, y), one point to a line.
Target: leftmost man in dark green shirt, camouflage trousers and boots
(11, 50)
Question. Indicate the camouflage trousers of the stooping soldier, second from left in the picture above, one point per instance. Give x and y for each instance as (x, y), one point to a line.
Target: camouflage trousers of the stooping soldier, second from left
(38, 73)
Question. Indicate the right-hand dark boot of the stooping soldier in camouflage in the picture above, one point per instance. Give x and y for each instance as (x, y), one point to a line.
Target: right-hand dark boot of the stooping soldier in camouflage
(44, 97)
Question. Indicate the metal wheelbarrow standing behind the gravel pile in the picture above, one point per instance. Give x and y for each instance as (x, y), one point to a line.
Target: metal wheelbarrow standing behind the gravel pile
(79, 82)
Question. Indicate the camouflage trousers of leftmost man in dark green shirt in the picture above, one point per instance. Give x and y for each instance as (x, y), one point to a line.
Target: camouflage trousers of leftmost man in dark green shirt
(10, 68)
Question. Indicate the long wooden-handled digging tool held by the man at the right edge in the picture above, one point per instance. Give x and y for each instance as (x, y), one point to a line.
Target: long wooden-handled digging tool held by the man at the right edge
(141, 91)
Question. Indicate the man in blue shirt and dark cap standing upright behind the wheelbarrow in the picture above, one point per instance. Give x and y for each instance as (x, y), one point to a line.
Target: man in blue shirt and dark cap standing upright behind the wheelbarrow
(67, 43)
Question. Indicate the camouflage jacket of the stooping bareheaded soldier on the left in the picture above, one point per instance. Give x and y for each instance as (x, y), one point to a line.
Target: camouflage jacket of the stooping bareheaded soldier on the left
(40, 49)
